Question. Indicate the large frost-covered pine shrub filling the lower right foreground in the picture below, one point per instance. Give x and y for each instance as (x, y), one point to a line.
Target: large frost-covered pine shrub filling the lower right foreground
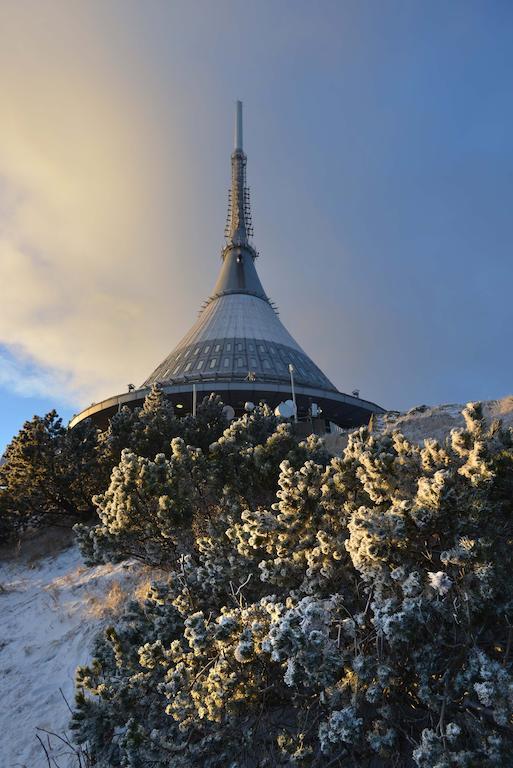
(349, 612)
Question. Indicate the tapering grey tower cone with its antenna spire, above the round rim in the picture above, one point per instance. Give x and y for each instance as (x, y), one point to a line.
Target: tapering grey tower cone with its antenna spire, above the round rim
(238, 334)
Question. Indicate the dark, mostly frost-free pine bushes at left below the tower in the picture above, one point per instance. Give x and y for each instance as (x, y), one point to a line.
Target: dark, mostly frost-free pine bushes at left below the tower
(51, 474)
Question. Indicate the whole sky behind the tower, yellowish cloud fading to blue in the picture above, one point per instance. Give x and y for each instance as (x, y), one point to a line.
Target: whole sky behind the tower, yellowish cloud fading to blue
(379, 138)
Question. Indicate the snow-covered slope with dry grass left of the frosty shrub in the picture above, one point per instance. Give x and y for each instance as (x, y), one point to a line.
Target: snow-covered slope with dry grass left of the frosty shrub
(50, 612)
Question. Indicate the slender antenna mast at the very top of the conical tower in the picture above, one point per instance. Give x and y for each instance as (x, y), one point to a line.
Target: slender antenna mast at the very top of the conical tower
(238, 223)
